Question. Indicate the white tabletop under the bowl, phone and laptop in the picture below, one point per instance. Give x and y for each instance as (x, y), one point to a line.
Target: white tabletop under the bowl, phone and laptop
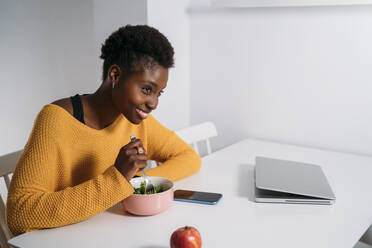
(237, 221)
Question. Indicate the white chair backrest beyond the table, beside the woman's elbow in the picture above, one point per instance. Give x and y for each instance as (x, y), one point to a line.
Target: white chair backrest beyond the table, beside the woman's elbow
(193, 134)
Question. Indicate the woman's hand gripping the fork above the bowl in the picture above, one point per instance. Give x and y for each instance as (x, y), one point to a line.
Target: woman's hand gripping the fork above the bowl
(131, 159)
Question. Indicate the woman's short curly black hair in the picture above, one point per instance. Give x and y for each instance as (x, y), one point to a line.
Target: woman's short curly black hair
(136, 47)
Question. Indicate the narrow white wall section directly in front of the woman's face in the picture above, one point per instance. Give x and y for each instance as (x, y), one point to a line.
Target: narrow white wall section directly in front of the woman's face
(171, 18)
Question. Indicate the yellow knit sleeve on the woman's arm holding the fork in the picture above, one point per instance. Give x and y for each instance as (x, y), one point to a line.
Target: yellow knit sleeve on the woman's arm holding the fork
(34, 201)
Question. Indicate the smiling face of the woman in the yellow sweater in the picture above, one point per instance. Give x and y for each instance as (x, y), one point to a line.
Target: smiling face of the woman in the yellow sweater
(136, 96)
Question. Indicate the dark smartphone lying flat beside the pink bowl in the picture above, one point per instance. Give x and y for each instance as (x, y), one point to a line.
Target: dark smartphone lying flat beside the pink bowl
(197, 197)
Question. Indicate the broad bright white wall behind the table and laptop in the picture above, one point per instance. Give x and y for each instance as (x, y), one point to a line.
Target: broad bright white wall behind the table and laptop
(293, 75)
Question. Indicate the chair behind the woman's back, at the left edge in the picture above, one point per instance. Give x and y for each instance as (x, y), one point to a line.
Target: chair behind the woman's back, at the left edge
(8, 163)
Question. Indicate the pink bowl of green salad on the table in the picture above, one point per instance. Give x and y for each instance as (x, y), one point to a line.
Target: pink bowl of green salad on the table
(150, 204)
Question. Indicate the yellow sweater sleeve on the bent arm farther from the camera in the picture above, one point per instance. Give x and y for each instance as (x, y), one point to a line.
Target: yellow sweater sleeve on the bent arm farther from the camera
(178, 158)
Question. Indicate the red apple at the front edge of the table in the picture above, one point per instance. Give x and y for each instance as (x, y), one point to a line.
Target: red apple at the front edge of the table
(186, 237)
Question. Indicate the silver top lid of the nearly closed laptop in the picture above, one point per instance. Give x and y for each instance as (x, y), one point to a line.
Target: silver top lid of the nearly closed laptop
(292, 177)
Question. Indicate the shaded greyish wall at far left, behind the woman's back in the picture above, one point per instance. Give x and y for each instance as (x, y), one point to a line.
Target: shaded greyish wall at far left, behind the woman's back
(46, 53)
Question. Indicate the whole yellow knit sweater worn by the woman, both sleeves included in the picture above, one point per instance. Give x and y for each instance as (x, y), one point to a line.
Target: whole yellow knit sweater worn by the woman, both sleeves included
(66, 173)
